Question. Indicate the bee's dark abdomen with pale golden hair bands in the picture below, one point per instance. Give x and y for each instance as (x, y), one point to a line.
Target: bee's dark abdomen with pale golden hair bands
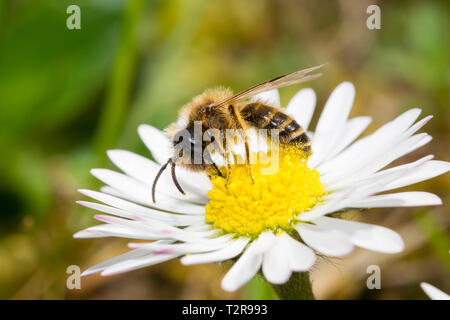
(266, 117)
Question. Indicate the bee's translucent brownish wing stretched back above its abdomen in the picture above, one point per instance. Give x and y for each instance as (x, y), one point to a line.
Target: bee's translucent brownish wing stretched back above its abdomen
(279, 82)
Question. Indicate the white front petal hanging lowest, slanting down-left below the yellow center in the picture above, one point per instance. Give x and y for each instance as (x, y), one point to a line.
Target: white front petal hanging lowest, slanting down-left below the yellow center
(248, 264)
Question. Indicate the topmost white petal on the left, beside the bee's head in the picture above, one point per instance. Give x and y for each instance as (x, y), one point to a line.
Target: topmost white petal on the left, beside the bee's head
(157, 142)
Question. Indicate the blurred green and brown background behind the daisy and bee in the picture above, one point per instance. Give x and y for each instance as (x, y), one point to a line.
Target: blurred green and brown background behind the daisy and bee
(66, 96)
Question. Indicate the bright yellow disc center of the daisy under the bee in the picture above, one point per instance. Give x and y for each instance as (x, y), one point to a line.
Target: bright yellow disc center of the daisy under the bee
(273, 202)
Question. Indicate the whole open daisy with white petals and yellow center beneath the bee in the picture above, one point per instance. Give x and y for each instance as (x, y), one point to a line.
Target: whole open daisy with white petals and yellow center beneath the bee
(279, 223)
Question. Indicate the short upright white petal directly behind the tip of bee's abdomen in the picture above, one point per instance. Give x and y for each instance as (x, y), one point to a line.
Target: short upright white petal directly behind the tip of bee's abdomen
(301, 107)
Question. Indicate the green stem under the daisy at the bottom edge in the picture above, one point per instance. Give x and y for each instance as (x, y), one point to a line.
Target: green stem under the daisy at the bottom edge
(298, 287)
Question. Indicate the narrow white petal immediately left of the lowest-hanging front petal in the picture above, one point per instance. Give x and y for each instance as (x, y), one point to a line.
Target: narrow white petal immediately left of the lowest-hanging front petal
(233, 249)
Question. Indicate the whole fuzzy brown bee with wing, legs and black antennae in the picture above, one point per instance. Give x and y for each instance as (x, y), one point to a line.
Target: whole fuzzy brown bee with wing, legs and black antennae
(219, 109)
